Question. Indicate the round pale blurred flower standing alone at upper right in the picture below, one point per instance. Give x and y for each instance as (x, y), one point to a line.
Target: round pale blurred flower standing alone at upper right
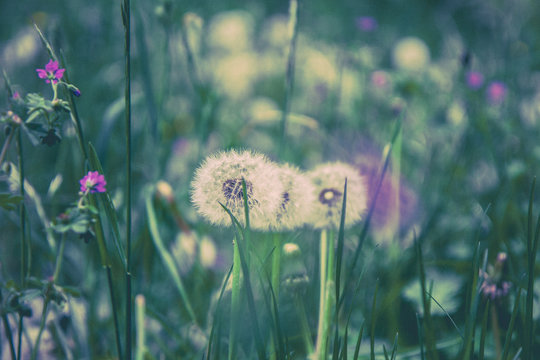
(411, 53)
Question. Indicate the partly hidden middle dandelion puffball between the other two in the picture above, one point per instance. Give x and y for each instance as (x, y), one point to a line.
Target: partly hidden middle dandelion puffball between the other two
(296, 199)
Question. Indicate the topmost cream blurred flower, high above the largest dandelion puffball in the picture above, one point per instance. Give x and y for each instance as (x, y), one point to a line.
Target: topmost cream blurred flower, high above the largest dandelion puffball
(231, 31)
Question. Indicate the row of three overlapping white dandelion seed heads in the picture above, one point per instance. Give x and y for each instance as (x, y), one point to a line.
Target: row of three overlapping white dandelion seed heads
(279, 196)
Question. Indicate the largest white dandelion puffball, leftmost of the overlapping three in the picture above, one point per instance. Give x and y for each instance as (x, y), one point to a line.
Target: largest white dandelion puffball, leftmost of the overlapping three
(219, 180)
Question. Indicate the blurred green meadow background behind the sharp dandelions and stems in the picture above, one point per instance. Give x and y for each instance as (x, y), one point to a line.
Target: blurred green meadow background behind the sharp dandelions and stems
(213, 75)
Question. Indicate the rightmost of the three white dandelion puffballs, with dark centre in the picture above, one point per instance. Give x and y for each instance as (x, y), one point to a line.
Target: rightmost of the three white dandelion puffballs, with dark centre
(329, 182)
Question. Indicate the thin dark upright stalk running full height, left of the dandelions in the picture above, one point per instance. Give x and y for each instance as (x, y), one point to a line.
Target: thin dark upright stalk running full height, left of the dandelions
(126, 17)
